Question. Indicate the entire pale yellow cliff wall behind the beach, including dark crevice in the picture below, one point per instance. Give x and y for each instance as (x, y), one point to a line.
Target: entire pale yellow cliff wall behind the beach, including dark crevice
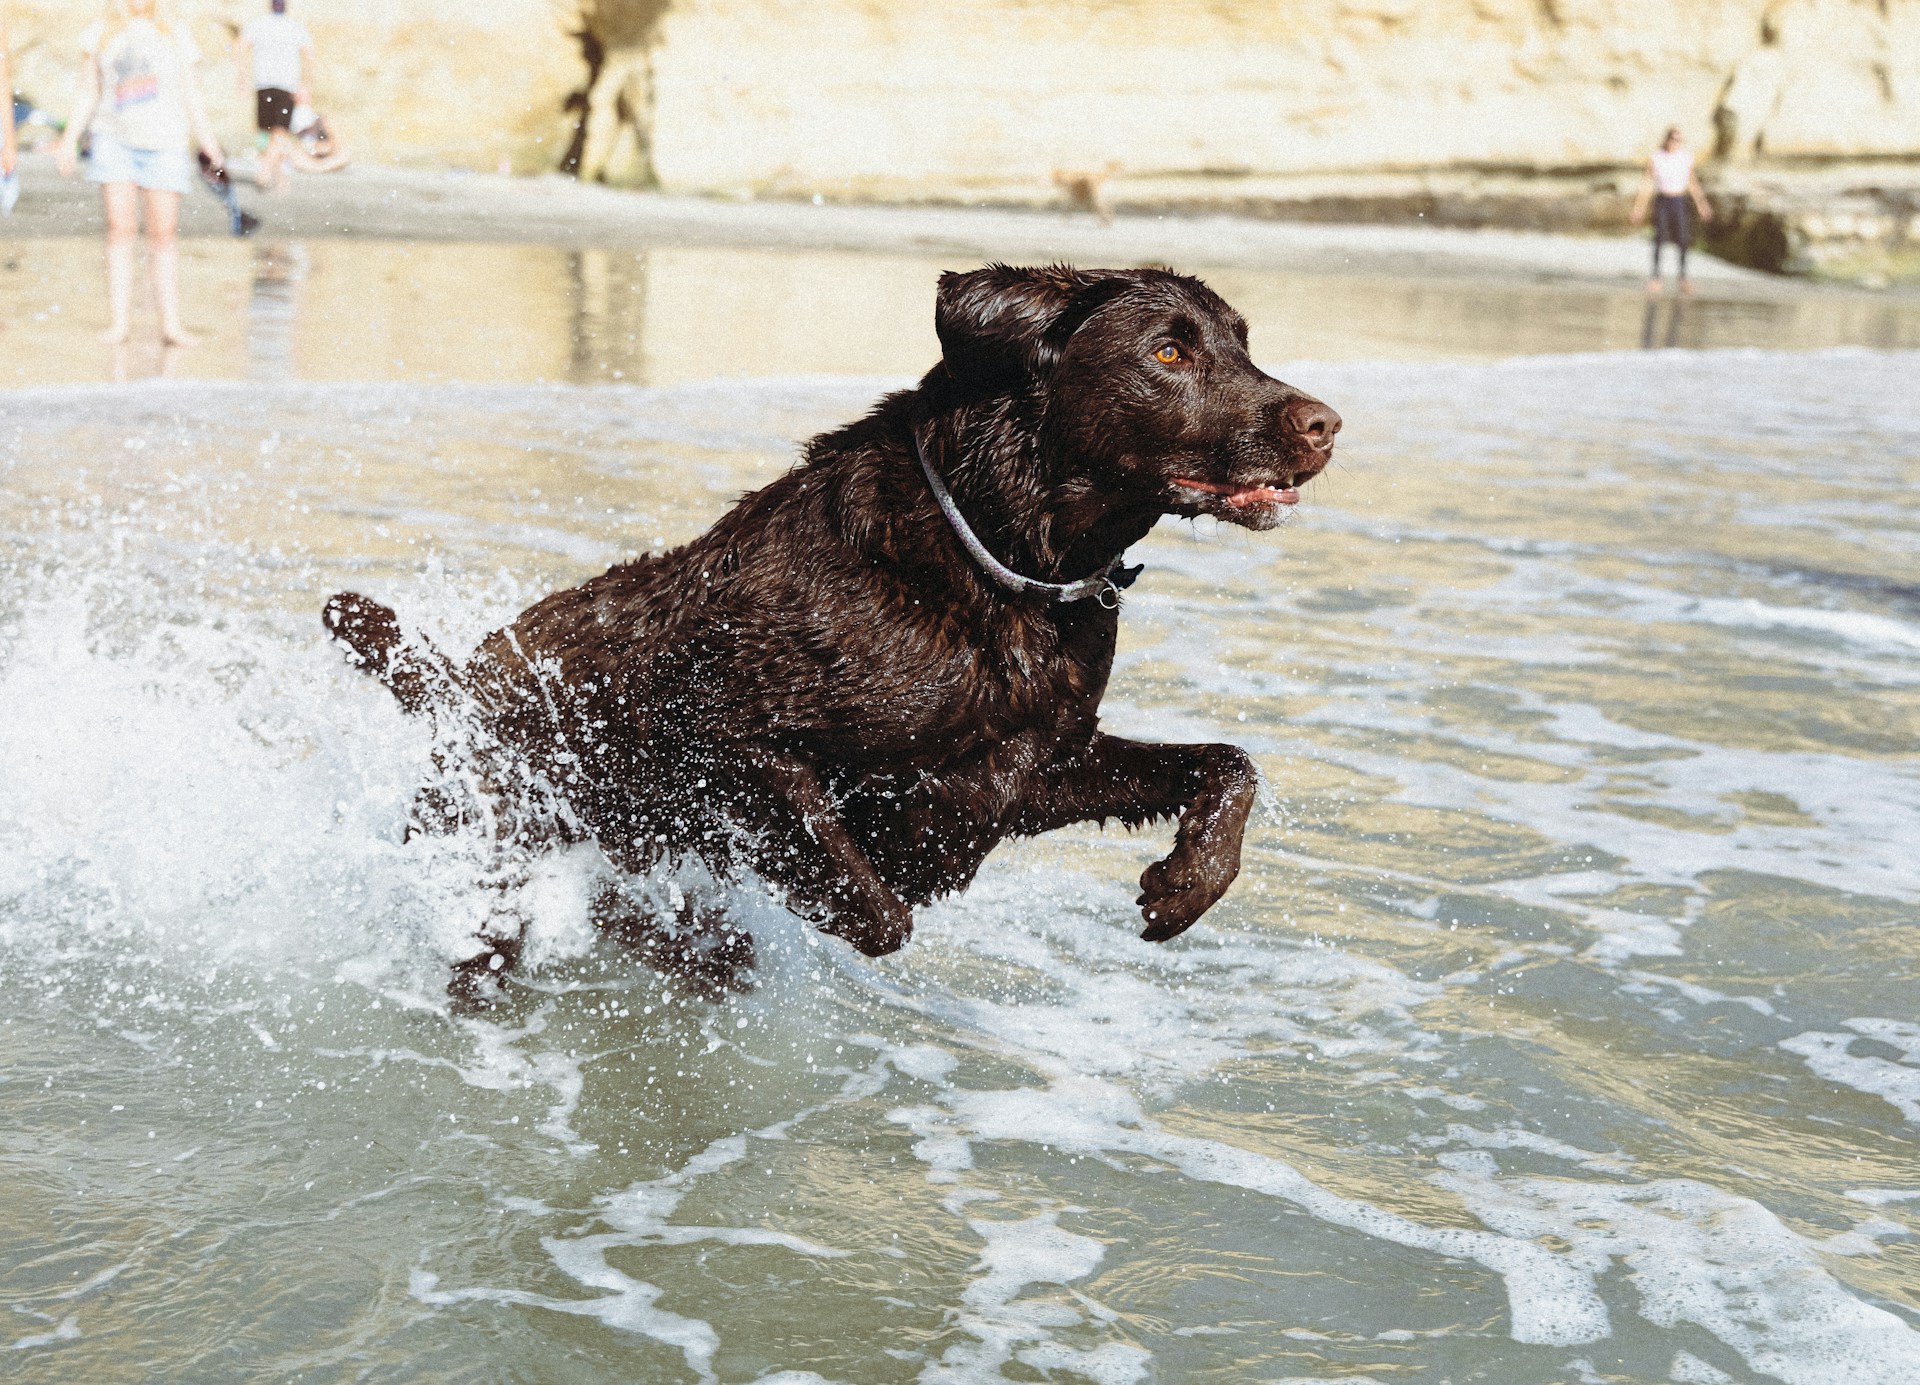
(990, 97)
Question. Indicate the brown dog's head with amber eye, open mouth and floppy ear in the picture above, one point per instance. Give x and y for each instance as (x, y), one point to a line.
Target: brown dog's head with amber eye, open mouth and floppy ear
(1143, 381)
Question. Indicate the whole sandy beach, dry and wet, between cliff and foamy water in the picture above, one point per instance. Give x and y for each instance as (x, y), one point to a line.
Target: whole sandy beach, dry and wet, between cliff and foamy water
(383, 274)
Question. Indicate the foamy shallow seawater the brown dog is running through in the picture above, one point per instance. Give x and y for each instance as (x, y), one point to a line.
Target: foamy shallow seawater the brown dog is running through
(1562, 1027)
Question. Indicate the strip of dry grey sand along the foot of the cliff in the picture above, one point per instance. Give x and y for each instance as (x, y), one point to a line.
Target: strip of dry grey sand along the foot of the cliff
(373, 203)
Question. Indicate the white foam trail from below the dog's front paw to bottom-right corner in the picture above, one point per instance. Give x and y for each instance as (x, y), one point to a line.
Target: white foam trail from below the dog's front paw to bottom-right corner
(1806, 1321)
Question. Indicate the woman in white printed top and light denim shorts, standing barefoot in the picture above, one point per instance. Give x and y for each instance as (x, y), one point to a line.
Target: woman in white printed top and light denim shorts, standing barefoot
(143, 112)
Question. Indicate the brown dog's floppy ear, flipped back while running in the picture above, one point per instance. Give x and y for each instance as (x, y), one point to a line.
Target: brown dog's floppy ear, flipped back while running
(1003, 326)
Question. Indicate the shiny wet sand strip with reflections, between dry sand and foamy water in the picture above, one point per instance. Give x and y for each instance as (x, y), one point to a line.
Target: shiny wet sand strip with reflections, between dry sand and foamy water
(356, 310)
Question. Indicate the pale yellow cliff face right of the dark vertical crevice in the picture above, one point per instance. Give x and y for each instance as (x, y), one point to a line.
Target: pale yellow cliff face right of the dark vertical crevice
(903, 97)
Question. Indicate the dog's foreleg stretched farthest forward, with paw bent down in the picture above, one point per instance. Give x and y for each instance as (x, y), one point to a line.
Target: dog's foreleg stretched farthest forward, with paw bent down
(1209, 787)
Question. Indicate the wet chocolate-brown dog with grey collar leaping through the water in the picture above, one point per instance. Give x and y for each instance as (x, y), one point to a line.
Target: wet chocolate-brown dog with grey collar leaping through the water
(878, 668)
